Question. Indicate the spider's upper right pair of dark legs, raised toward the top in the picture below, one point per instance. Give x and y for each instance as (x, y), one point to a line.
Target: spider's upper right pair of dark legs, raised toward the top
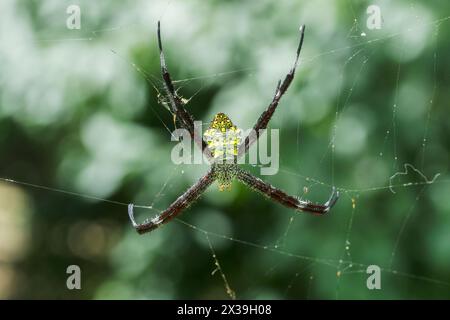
(281, 89)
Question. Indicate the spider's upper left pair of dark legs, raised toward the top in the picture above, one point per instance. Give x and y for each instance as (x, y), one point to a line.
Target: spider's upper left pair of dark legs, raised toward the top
(176, 104)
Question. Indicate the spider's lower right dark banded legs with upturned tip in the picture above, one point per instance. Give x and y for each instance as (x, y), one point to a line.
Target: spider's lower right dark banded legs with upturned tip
(285, 199)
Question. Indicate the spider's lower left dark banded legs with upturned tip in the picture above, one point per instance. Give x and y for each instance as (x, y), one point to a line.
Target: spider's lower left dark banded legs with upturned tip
(184, 201)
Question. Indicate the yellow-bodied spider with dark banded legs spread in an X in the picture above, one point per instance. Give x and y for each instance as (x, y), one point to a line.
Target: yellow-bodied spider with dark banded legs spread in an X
(225, 173)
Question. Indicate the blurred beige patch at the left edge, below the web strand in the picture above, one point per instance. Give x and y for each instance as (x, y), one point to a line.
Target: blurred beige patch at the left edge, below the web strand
(14, 234)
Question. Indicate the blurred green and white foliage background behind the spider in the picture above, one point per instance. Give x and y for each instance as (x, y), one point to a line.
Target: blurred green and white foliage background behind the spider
(79, 112)
